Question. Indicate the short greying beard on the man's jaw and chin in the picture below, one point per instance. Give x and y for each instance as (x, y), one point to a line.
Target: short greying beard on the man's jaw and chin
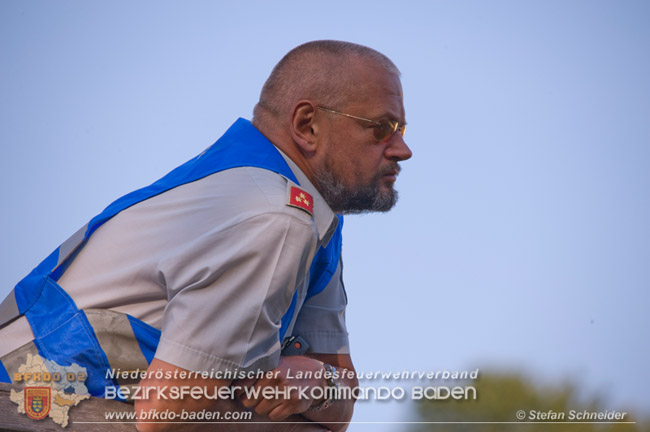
(364, 199)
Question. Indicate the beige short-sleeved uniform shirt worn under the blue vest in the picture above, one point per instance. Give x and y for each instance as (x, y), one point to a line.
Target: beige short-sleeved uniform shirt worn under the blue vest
(214, 264)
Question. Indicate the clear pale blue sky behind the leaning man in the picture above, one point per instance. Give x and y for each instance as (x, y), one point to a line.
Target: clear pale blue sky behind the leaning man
(521, 240)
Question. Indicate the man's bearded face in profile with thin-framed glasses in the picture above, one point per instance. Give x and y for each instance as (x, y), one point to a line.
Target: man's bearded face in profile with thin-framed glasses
(360, 169)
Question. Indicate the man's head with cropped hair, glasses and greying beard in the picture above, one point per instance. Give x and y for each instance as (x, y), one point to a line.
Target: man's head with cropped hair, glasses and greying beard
(336, 109)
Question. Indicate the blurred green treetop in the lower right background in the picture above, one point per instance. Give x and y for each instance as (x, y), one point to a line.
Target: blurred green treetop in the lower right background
(498, 399)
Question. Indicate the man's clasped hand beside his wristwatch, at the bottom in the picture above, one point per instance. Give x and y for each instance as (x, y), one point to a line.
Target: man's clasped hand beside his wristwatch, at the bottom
(294, 394)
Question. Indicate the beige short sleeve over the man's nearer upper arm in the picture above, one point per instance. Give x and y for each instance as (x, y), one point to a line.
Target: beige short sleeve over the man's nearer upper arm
(228, 291)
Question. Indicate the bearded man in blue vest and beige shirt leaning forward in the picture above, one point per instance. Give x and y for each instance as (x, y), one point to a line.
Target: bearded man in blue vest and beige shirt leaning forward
(223, 262)
